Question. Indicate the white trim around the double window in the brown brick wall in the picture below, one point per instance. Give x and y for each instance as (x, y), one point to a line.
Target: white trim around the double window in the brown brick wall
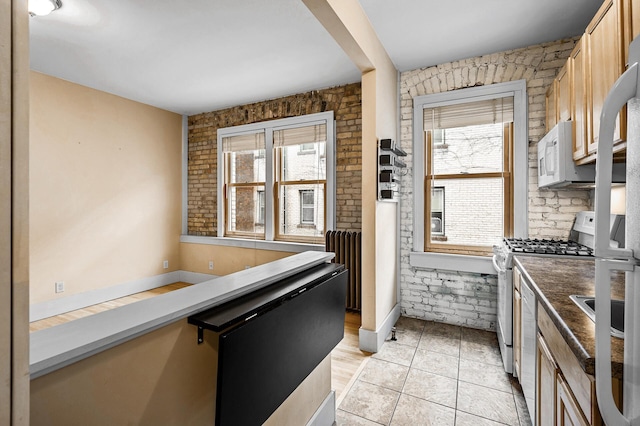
(268, 127)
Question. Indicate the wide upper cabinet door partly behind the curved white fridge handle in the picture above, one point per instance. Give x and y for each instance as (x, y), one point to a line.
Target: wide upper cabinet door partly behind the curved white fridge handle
(605, 57)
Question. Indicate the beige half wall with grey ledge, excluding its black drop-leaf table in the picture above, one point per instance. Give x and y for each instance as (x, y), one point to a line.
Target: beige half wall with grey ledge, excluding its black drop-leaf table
(142, 364)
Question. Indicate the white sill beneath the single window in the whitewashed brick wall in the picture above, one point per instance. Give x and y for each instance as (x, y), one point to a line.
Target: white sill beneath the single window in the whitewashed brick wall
(452, 262)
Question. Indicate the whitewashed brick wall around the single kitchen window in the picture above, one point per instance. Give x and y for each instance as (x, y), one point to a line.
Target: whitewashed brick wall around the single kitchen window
(463, 298)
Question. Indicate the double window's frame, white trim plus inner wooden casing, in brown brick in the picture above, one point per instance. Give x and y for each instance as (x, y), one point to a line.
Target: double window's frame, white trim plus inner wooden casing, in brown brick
(271, 183)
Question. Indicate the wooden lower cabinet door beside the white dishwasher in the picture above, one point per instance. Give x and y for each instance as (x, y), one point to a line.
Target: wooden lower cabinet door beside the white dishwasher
(545, 385)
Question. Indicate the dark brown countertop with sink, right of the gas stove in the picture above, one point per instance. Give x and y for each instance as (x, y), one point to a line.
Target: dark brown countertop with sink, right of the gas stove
(554, 280)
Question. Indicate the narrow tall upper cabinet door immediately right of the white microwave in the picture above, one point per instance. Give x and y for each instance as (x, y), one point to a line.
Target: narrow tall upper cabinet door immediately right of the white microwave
(579, 99)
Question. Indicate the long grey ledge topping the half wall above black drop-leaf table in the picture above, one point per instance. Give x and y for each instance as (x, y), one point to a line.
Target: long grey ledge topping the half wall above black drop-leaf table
(62, 345)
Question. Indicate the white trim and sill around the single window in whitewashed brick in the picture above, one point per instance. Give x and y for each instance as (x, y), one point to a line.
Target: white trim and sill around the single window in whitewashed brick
(476, 264)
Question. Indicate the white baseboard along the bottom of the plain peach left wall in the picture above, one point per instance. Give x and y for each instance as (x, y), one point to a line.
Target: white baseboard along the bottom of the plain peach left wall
(38, 311)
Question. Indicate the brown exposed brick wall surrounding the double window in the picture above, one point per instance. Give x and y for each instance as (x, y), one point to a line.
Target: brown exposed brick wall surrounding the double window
(344, 101)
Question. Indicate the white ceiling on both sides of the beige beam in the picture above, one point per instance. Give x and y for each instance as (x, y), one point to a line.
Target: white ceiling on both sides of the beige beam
(202, 55)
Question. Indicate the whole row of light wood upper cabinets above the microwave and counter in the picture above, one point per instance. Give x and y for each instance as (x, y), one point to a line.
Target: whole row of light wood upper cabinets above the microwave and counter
(594, 65)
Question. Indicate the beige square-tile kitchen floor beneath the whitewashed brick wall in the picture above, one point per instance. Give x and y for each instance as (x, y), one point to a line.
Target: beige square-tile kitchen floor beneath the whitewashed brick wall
(434, 374)
